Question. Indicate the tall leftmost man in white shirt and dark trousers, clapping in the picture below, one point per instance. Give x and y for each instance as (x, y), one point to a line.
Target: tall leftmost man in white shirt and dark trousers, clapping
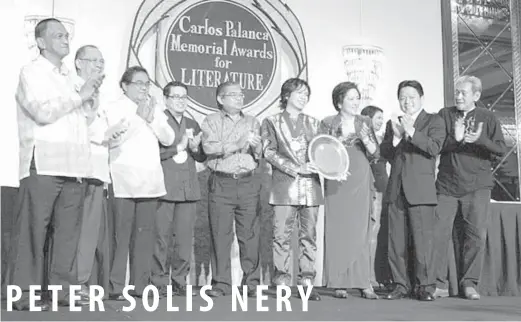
(54, 159)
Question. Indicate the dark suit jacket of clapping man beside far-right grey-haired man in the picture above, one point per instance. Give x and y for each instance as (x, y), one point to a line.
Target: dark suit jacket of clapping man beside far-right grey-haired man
(413, 161)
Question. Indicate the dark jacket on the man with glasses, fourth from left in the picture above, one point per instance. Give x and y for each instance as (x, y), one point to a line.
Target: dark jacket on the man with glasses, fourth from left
(181, 180)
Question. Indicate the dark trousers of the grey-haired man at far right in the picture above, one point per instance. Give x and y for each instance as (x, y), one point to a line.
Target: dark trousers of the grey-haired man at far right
(471, 235)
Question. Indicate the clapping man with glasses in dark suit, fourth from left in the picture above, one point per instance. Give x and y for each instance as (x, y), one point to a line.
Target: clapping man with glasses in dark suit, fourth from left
(178, 208)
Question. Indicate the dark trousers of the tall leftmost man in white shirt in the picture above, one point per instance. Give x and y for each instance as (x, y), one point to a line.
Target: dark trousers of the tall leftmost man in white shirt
(45, 232)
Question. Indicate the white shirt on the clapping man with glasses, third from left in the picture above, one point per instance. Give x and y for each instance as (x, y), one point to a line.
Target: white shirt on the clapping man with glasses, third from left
(135, 163)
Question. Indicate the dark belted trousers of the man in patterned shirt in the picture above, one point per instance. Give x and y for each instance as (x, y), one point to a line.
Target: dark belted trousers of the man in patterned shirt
(234, 200)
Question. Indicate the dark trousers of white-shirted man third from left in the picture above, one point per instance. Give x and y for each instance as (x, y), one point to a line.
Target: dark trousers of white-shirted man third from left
(134, 236)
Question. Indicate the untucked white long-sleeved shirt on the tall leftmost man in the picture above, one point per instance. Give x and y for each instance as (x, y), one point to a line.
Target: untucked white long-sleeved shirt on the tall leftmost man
(51, 122)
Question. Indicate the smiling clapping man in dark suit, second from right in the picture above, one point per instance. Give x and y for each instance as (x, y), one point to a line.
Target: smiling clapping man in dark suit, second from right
(411, 146)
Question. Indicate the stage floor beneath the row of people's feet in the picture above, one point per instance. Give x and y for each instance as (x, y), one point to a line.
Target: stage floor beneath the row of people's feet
(352, 308)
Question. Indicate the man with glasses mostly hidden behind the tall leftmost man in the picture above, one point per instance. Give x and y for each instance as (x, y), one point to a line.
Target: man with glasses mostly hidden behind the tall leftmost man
(93, 248)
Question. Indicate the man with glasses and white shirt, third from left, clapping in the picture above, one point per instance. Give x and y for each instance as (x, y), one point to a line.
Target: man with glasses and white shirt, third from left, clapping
(137, 179)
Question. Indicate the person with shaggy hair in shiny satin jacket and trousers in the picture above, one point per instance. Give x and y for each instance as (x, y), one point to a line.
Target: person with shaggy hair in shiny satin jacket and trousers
(296, 191)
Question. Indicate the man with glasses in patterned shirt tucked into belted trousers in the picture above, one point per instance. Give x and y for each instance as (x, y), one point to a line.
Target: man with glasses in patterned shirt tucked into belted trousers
(232, 143)
